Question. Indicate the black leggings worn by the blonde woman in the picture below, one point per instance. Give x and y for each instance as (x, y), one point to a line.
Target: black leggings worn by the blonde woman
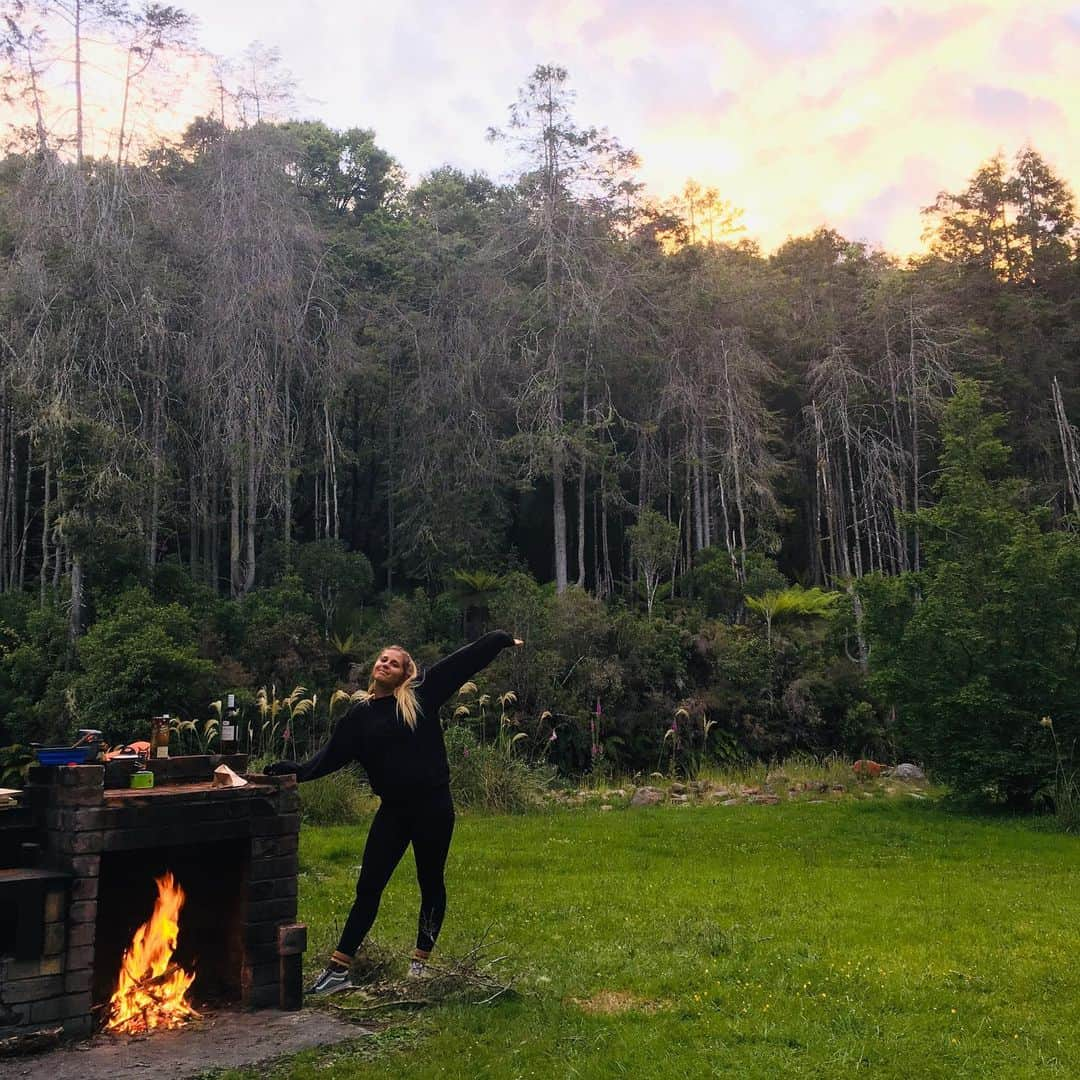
(428, 826)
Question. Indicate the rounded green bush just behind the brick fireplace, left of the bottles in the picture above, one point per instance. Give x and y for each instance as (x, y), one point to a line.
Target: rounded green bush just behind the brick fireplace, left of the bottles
(139, 660)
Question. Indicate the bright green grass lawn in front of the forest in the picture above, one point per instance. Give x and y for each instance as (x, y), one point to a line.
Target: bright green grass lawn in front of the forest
(888, 938)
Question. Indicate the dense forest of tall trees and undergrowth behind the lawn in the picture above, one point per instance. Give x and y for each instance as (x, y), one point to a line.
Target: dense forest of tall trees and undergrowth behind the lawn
(267, 407)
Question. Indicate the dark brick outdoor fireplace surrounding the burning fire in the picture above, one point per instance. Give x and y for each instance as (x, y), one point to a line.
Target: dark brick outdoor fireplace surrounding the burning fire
(78, 863)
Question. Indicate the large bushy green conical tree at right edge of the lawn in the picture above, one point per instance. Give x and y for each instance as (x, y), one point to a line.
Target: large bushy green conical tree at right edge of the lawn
(979, 646)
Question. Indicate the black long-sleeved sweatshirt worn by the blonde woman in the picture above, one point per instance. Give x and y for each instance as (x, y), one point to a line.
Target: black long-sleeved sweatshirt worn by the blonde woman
(402, 764)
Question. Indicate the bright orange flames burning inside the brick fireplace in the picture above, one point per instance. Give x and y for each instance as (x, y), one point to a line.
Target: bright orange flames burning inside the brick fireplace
(152, 991)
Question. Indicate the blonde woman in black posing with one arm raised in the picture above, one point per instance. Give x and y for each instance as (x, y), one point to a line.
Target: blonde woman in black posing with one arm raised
(394, 732)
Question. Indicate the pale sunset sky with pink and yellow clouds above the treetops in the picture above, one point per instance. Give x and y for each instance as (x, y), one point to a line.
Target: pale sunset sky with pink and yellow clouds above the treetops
(852, 114)
